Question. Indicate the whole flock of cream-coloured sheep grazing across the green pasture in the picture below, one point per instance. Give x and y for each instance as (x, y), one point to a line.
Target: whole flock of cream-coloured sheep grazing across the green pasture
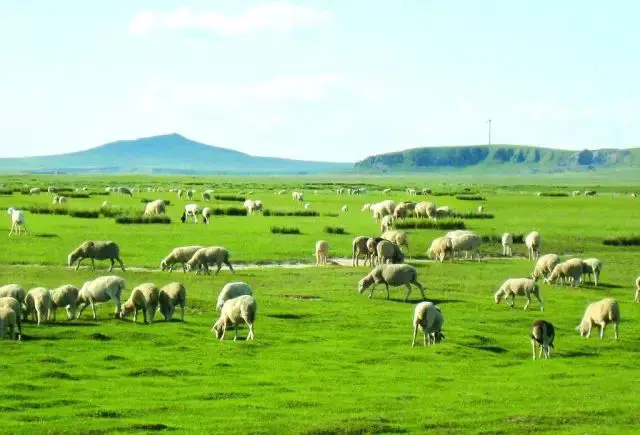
(237, 304)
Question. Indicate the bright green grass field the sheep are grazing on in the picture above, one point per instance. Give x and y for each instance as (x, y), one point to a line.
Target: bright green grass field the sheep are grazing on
(326, 359)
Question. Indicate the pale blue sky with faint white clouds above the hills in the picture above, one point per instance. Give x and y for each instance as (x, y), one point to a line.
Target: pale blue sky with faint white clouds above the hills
(332, 80)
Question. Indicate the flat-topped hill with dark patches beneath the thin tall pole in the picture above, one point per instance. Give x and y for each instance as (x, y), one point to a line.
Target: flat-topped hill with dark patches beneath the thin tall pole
(501, 158)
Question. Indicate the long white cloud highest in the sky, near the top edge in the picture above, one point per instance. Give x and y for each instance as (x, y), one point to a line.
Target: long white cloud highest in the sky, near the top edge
(281, 17)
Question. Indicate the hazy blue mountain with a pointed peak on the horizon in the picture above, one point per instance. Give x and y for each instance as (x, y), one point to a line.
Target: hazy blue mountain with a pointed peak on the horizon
(170, 153)
